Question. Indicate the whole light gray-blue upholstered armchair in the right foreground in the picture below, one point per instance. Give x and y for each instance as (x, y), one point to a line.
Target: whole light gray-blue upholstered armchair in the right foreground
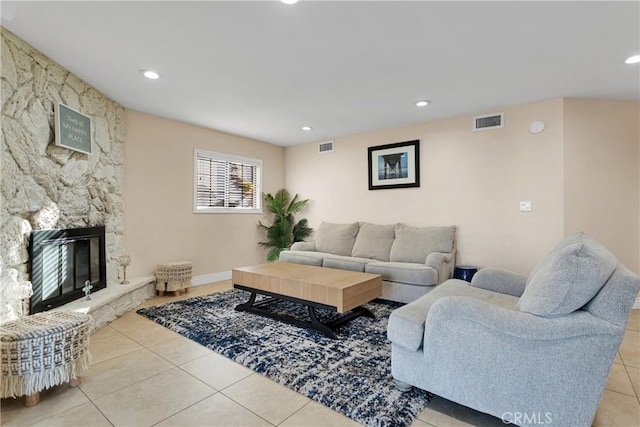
(529, 350)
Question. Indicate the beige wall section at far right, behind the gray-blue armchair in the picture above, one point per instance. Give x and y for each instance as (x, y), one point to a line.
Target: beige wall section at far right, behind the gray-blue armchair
(602, 185)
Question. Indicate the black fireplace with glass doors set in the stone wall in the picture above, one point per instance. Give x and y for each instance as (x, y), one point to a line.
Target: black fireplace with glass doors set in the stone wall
(62, 261)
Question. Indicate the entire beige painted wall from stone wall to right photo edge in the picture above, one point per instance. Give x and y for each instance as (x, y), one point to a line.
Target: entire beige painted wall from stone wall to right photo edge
(581, 173)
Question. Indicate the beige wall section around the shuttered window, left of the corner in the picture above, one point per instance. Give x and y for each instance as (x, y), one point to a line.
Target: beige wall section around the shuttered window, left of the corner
(160, 223)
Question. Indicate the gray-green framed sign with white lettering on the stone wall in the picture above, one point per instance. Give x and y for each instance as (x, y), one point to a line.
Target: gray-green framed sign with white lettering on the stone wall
(74, 130)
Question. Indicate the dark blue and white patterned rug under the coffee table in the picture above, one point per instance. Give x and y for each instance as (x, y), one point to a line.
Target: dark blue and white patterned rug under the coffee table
(351, 375)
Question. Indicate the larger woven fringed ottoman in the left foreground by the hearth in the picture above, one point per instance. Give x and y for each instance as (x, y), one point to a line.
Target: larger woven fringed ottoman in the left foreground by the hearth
(43, 350)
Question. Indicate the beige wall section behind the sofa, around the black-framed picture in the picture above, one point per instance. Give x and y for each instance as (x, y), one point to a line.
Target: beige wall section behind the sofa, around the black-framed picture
(474, 180)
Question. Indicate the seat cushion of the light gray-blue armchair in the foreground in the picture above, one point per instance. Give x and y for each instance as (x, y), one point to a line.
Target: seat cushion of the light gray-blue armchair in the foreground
(406, 324)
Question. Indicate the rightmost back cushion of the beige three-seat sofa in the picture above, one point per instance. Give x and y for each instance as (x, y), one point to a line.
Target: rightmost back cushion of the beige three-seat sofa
(414, 244)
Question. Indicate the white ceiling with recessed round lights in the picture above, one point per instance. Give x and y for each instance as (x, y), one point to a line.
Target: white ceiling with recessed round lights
(264, 69)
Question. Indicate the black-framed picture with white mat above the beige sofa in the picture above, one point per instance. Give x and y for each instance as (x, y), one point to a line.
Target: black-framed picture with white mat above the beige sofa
(394, 165)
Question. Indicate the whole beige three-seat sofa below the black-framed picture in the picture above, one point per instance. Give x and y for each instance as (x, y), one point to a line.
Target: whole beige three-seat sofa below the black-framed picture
(411, 260)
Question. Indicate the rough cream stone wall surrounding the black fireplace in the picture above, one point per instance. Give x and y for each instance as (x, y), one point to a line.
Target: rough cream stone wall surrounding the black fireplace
(44, 186)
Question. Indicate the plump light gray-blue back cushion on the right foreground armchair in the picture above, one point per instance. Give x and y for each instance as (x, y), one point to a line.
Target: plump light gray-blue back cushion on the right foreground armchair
(567, 278)
